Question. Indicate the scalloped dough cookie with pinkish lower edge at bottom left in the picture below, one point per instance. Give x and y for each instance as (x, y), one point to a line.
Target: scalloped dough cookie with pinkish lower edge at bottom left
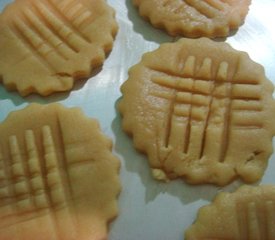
(58, 177)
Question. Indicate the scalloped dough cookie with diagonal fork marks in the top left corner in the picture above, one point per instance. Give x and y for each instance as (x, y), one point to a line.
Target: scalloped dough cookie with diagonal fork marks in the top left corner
(47, 44)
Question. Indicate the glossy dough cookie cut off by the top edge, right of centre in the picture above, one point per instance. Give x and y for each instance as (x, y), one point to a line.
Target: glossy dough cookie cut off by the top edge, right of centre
(194, 18)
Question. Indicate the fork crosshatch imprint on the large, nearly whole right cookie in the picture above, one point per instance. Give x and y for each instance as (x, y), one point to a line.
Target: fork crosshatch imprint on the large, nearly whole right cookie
(212, 99)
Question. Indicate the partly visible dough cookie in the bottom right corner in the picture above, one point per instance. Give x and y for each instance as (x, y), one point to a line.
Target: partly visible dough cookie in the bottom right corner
(247, 214)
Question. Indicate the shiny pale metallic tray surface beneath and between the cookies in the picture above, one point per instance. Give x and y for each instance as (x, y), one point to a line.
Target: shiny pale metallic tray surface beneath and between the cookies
(150, 210)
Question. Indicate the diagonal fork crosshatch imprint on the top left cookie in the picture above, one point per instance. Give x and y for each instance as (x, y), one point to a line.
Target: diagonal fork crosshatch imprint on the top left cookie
(43, 28)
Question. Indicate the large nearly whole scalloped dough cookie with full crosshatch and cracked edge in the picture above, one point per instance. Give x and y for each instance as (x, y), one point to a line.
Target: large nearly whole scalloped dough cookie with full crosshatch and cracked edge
(200, 110)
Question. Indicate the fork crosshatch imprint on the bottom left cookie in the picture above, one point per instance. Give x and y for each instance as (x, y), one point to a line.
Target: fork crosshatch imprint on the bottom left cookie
(35, 188)
